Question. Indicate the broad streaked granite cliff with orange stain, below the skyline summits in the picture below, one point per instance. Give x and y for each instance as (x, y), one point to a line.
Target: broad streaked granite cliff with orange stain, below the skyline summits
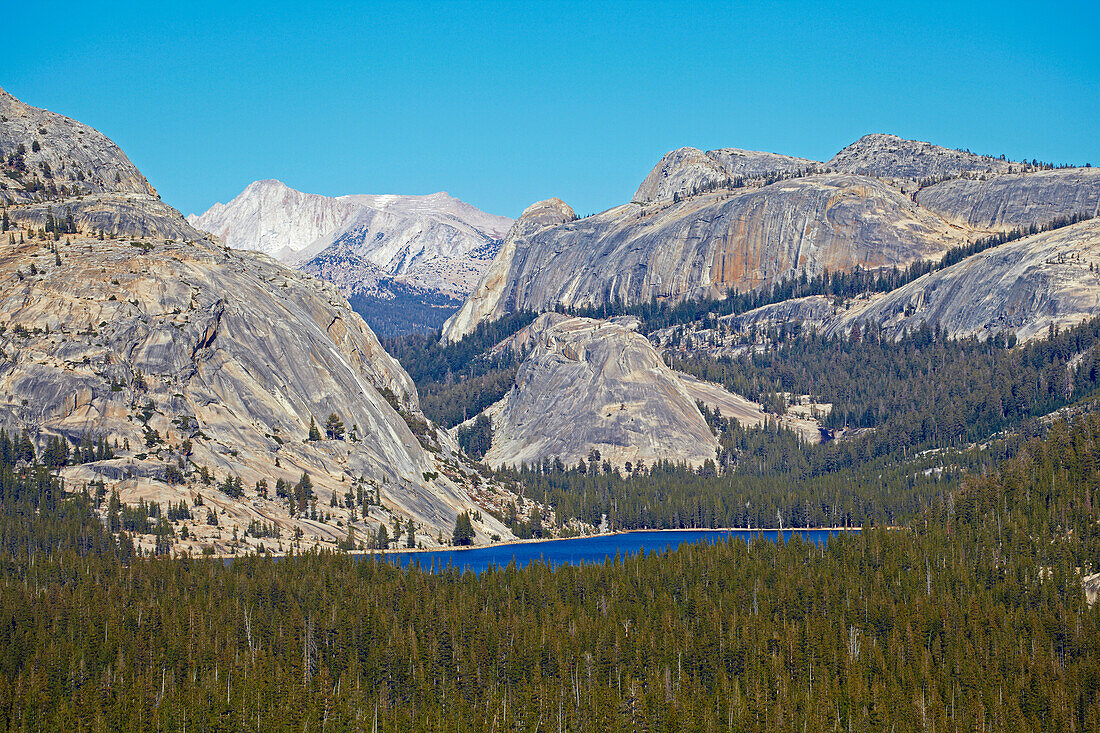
(707, 245)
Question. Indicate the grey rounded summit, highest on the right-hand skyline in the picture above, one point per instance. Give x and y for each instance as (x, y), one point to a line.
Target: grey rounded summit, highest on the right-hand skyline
(890, 157)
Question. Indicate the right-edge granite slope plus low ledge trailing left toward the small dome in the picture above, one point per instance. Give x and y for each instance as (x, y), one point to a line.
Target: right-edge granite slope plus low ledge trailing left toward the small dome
(1021, 288)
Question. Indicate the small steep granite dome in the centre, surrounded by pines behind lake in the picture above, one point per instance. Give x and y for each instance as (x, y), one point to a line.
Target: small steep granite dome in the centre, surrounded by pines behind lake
(590, 385)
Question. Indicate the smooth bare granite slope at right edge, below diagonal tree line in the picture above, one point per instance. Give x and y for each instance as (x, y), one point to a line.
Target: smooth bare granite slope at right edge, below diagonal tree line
(1022, 288)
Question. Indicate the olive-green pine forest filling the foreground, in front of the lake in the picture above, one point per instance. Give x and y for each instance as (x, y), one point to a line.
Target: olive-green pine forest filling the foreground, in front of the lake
(972, 617)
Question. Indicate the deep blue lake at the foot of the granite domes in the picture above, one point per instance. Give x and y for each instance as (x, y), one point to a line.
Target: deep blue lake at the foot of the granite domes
(589, 550)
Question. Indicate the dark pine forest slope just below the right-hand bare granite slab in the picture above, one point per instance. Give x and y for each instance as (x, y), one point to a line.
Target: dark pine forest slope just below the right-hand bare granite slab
(923, 391)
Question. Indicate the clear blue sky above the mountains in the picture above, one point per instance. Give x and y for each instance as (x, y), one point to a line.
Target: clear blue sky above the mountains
(507, 104)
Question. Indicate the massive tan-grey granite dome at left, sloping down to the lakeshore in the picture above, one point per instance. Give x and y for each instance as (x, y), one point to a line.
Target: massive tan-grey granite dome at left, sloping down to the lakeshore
(185, 354)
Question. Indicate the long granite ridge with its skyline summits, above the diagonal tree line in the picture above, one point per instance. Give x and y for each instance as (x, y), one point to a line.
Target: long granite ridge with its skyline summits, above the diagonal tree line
(703, 224)
